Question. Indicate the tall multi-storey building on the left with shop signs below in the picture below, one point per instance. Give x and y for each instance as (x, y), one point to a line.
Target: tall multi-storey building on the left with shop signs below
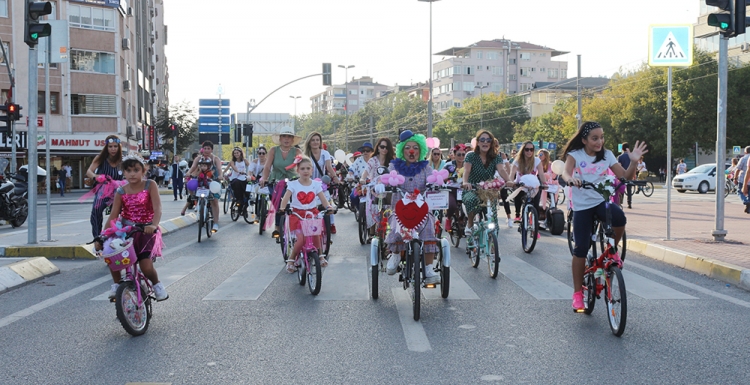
(113, 81)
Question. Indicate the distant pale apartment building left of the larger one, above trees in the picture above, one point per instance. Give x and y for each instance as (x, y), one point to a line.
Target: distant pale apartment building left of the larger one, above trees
(354, 94)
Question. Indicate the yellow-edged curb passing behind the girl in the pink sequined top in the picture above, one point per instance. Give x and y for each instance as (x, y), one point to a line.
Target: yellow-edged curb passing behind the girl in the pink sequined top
(86, 251)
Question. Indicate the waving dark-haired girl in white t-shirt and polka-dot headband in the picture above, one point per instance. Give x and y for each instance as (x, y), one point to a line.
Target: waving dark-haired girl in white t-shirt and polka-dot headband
(587, 160)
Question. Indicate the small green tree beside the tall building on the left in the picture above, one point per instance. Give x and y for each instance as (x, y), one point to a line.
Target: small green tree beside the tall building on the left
(184, 117)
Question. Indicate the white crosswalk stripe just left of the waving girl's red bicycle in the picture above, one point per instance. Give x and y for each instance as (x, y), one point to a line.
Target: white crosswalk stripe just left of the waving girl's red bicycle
(534, 281)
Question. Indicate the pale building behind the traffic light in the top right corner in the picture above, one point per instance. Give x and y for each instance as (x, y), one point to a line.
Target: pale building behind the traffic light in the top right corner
(707, 37)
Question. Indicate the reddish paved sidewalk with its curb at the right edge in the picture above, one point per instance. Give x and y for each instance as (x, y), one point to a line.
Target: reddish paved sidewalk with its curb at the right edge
(691, 245)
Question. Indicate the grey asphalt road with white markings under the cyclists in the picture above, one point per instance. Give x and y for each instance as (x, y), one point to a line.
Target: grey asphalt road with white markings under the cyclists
(234, 316)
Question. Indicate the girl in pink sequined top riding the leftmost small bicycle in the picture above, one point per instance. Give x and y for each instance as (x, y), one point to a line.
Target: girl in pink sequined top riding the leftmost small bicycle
(138, 203)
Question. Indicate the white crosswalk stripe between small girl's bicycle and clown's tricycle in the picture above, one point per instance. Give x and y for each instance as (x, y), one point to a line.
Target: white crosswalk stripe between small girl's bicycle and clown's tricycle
(345, 279)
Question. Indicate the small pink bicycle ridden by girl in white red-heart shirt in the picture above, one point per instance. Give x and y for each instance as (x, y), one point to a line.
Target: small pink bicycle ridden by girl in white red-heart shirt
(308, 260)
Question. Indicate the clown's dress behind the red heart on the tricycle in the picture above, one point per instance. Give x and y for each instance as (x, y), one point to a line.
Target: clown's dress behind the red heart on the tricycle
(414, 179)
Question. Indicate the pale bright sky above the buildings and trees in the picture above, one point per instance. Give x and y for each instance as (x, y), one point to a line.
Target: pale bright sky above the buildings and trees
(252, 47)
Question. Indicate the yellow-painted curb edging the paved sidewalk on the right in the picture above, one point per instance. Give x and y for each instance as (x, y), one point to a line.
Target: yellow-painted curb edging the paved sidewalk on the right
(712, 268)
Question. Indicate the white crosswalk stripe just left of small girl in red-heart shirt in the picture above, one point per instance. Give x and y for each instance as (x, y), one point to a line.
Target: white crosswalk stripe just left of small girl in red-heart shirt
(250, 281)
